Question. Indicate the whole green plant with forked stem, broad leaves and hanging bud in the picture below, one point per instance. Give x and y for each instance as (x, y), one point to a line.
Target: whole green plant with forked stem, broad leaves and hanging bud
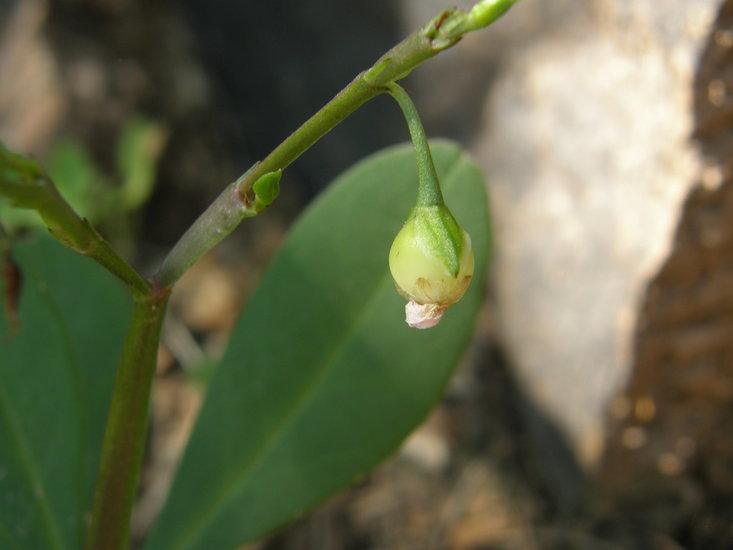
(321, 380)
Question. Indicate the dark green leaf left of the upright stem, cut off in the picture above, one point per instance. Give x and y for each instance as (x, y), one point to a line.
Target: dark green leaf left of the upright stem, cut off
(56, 375)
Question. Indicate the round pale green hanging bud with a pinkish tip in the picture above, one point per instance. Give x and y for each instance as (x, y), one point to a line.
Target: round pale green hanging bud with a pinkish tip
(431, 261)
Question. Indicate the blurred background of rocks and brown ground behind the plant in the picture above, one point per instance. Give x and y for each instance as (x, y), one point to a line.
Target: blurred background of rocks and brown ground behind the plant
(595, 408)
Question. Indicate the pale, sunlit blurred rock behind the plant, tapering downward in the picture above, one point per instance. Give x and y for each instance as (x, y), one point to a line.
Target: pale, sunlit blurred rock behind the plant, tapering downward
(586, 145)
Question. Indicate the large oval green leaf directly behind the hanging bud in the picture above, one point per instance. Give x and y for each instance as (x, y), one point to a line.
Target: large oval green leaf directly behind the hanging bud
(323, 379)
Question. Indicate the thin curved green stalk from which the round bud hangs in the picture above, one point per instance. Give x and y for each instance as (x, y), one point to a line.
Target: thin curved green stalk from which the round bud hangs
(428, 191)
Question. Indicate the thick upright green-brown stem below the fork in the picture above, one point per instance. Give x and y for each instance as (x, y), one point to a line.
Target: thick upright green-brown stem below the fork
(127, 424)
